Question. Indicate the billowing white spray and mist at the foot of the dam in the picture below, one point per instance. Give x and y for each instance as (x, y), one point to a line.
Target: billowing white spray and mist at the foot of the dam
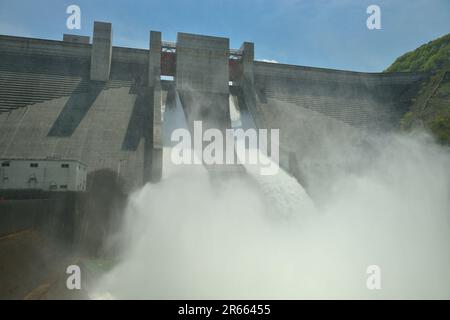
(249, 236)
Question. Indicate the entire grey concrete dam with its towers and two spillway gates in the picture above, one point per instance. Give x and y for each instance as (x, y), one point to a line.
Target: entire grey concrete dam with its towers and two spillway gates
(106, 109)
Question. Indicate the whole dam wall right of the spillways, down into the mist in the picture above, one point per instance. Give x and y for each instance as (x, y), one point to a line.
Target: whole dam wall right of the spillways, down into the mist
(316, 109)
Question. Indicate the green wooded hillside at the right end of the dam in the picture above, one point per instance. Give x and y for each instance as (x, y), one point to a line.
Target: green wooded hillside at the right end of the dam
(431, 106)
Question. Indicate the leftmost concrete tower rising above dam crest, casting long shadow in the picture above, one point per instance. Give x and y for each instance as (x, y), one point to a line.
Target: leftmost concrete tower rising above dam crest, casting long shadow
(101, 51)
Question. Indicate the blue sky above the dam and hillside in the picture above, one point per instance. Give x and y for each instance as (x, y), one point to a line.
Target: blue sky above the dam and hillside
(317, 33)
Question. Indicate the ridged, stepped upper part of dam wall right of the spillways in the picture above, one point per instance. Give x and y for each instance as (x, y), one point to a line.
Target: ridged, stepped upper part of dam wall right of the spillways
(364, 100)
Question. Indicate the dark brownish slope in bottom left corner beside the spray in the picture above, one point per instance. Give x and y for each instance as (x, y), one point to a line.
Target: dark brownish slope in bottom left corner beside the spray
(34, 267)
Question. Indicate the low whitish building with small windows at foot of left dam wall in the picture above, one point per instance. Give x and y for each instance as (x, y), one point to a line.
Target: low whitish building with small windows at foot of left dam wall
(43, 174)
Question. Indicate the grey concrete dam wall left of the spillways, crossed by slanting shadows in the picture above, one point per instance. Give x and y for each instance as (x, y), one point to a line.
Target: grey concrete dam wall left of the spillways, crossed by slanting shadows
(50, 106)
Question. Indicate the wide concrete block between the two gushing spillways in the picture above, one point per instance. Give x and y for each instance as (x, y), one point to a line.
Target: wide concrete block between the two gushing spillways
(202, 79)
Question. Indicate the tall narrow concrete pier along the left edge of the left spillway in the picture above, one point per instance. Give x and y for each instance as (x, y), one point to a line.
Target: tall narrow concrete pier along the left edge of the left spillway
(154, 82)
